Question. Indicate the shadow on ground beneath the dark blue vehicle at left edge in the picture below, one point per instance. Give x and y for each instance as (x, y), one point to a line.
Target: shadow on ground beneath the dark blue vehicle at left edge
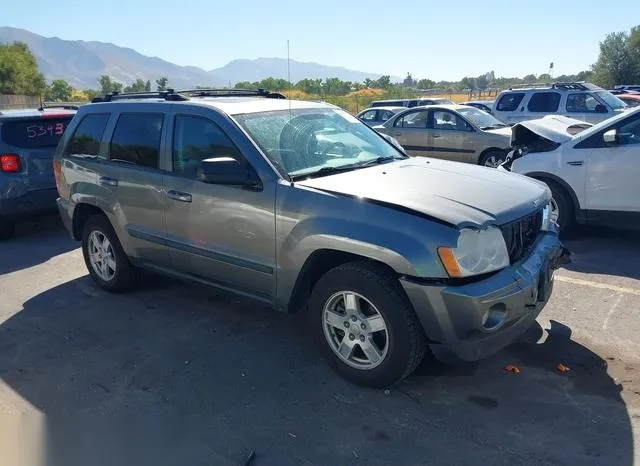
(36, 241)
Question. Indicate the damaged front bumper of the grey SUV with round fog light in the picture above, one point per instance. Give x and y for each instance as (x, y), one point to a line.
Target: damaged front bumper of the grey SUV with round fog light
(473, 321)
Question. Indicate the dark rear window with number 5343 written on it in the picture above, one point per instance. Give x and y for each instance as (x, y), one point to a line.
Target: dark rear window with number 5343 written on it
(33, 133)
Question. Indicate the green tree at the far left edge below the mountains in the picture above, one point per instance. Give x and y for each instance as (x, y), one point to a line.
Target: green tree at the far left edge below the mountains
(19, 70)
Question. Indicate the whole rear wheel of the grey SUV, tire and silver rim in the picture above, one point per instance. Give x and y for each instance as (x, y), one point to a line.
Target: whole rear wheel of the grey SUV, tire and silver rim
(120, 275)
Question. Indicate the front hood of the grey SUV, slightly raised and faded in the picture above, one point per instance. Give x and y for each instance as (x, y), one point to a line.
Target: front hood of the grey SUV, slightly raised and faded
(456, 193)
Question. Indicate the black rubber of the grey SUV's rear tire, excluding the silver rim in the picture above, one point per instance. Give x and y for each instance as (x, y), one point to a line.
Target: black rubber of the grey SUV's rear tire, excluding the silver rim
(126, 275)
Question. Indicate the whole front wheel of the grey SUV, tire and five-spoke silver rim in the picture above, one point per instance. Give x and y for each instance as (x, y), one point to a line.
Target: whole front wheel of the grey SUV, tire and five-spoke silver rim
(400, 345)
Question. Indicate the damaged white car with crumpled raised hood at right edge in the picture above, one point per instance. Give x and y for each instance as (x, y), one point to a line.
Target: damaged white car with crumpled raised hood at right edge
(593, 171)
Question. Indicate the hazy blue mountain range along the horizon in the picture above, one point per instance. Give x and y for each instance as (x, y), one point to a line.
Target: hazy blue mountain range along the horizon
(80, 63)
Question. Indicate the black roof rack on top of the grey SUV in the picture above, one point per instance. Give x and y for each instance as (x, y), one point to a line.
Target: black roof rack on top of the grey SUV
(175, 96)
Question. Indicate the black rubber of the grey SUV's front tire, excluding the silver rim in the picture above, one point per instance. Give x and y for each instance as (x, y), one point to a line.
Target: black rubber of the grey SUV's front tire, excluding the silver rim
(406, 341)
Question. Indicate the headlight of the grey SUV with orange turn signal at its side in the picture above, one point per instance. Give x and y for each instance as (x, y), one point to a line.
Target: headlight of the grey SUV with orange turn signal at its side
(477, 252)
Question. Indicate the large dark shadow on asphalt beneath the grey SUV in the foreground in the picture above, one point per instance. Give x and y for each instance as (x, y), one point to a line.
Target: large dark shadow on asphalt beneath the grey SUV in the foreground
(176, 374)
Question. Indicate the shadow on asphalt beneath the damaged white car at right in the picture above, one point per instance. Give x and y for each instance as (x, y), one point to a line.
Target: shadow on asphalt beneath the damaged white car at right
(604, 251)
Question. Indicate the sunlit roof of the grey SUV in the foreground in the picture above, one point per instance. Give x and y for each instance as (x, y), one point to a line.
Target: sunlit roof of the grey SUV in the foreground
(231, 105)
